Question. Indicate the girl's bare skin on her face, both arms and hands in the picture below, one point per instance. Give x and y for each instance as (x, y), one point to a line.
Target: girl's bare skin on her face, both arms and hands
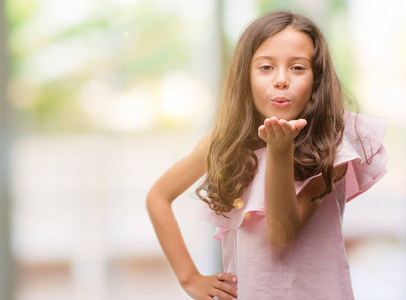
(286, 214)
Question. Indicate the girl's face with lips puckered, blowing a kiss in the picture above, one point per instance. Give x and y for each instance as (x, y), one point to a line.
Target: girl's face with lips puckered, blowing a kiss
(282, 76)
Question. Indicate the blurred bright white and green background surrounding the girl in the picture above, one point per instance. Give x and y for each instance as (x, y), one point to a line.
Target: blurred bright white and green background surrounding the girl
(99, 98)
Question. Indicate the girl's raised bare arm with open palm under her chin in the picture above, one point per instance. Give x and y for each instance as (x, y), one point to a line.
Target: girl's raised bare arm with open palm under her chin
(286, 213)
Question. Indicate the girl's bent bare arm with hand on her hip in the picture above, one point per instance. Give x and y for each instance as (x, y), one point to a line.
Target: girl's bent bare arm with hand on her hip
(166, 189)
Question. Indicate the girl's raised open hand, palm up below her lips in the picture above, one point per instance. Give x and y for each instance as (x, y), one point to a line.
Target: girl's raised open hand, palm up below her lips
(279, 134)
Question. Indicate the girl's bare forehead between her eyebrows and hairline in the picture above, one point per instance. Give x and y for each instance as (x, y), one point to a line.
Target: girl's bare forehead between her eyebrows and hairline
(287, 43)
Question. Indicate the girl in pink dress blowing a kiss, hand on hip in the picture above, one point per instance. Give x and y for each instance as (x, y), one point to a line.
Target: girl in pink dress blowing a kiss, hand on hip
(281, 162)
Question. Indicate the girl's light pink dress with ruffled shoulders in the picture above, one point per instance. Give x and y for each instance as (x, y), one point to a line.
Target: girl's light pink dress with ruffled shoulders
(315, 265)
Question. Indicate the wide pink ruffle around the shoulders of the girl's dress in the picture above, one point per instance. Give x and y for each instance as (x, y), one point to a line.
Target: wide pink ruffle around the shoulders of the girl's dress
(366, 165)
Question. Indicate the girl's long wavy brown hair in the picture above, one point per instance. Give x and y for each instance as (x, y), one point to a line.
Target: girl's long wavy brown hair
(231, 161)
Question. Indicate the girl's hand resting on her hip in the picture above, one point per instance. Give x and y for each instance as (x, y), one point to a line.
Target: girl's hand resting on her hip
(201, 287)
